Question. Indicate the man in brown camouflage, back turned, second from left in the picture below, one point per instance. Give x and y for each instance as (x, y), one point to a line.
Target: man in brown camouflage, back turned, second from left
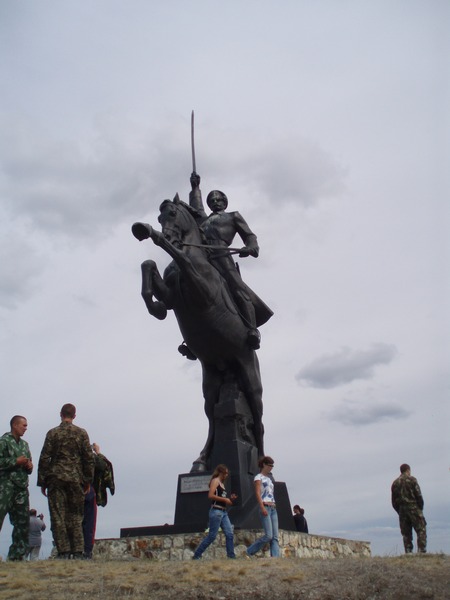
(65, 471)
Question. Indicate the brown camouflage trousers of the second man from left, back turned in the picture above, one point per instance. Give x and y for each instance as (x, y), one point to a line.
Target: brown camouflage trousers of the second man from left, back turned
(66, 507)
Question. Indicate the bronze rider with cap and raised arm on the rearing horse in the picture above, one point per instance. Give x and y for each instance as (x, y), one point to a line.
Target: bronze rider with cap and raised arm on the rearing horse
(220, 228)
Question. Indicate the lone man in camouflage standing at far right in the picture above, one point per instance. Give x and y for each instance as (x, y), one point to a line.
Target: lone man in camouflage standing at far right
(408, 503)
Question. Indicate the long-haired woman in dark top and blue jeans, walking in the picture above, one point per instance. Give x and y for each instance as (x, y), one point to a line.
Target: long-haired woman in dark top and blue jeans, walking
(218, 516)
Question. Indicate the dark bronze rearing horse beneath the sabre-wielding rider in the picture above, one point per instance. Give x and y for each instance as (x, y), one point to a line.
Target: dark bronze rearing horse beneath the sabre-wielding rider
(206, 313)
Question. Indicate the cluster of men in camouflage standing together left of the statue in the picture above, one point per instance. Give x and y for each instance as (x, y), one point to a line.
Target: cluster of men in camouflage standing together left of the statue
(73, 475)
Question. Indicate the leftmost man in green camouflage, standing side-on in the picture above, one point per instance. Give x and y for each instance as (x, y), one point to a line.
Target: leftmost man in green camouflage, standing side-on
(15, 466)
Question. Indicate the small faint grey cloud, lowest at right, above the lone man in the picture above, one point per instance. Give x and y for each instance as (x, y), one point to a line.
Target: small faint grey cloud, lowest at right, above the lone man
(351, 412)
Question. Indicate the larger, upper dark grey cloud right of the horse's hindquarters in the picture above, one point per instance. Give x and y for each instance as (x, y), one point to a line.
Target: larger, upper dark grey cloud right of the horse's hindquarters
(345, 366)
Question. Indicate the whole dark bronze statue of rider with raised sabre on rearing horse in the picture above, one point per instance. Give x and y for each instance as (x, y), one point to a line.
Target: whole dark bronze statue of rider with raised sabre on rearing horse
(218, 314)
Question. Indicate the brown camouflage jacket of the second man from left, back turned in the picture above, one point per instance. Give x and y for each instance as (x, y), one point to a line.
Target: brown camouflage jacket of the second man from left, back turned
(66, 456)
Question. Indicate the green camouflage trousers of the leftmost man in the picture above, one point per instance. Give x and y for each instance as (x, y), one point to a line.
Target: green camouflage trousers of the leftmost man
(15, 501)
